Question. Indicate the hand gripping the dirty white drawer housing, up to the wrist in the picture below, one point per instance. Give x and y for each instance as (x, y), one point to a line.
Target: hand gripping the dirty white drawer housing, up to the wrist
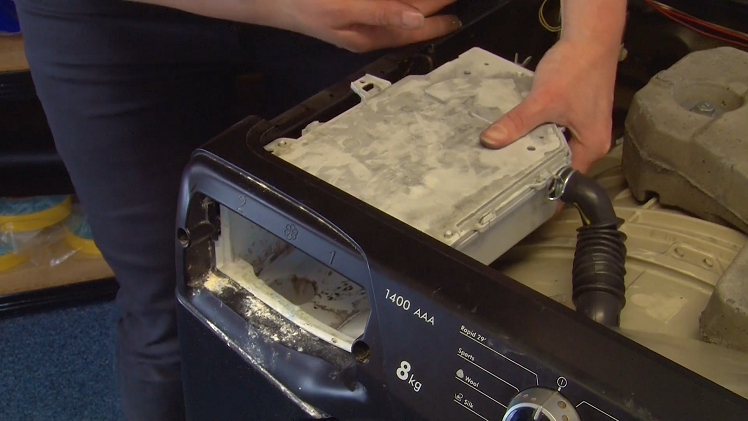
(573, 87)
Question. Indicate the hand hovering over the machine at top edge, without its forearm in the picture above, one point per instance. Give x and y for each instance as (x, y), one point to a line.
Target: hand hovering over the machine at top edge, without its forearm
(364, 25)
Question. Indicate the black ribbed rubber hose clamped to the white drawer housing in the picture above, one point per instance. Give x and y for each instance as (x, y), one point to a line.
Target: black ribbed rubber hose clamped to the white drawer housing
(600, 257)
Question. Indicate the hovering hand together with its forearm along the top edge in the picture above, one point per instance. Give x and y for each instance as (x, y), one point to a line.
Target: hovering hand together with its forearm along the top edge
(356, 25)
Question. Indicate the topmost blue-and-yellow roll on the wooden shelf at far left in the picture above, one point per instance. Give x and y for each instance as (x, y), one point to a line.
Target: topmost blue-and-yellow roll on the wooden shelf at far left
(30, 219)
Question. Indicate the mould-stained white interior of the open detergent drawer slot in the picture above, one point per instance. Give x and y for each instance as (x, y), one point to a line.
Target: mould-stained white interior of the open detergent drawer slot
(295, 285)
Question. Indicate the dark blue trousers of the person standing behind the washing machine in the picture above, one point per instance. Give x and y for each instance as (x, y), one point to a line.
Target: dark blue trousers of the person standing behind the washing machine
(129, 91)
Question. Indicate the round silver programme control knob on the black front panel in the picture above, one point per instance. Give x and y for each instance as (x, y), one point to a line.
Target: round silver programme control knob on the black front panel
(540, 404)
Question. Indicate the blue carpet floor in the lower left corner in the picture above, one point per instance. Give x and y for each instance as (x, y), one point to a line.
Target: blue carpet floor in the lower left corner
(59, 365)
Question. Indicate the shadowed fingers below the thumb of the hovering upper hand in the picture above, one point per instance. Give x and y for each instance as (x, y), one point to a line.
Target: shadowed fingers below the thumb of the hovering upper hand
(362, 39)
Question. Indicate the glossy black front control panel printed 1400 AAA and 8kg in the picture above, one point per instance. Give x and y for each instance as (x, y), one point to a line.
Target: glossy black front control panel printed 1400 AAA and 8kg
(440, 319)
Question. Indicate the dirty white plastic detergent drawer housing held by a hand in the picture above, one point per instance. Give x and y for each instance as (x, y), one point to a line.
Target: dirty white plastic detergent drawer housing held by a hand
(412, 150)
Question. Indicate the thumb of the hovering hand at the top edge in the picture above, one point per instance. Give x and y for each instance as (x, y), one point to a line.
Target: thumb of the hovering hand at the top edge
(386, 13)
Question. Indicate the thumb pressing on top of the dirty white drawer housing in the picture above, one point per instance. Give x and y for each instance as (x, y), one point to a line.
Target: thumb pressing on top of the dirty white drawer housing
(522, 119)
